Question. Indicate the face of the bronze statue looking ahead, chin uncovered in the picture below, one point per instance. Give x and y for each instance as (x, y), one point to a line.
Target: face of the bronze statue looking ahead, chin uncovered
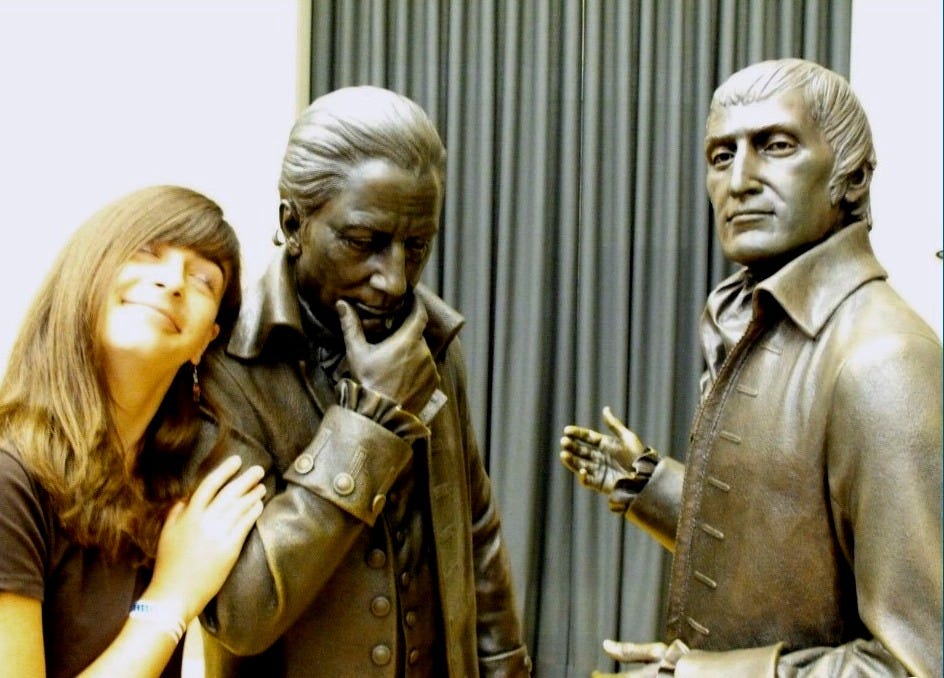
(768, 176)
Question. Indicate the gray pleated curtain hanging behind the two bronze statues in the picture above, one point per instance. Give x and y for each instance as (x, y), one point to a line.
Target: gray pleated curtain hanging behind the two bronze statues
(577, 241)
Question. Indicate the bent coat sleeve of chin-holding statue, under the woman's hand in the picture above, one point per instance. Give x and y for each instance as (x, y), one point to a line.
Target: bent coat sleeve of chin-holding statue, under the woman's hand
(313, 514)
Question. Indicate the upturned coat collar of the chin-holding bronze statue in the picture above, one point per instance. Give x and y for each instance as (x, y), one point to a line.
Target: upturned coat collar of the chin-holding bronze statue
(271, 312)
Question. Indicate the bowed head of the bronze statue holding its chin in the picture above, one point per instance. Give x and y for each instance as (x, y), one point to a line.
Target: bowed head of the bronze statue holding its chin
(362, 190)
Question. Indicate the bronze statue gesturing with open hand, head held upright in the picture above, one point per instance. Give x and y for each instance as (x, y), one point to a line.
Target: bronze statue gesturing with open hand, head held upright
(806, 522)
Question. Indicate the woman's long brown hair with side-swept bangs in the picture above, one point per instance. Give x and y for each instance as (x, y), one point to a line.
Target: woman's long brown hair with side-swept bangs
(54, 402)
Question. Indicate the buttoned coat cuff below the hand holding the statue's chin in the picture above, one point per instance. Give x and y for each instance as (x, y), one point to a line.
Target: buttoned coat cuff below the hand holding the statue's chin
(352, 462)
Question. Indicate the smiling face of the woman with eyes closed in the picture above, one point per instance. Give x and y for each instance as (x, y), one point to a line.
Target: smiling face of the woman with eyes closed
(162, 306)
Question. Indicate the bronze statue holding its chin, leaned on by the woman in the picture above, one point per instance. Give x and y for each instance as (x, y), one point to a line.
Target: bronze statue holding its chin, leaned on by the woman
(379, 551)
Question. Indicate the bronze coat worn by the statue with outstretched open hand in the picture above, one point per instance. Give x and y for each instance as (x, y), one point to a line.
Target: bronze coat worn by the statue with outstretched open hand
(810, 514)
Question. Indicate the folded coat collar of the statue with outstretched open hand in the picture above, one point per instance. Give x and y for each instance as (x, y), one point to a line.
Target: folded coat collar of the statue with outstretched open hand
(812, 286)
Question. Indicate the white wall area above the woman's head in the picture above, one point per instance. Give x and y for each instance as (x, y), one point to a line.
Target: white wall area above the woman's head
(100, 98)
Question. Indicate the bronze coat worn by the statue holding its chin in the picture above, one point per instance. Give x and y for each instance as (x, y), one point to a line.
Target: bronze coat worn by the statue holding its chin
(302, 590)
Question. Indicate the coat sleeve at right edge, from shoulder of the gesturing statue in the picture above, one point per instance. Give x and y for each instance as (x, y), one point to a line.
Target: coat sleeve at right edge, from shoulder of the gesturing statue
(884, 459)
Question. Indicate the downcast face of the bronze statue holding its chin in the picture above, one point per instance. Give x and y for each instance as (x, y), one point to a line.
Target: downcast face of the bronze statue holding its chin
(368, 245)
